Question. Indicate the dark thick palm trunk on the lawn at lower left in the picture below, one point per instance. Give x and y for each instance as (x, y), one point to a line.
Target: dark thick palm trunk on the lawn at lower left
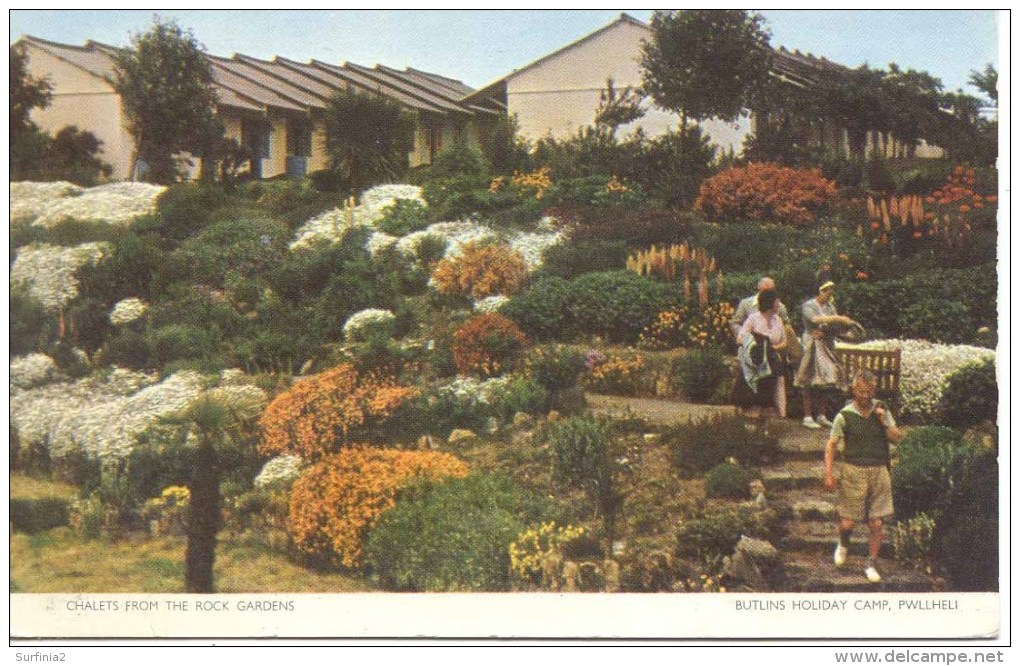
(203, 519)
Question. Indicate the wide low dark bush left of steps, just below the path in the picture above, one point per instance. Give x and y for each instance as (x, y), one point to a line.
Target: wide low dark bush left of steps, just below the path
(699, 445)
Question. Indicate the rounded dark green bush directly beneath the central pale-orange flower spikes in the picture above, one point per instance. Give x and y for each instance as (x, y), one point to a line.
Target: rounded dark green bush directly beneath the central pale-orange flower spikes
(617, 305)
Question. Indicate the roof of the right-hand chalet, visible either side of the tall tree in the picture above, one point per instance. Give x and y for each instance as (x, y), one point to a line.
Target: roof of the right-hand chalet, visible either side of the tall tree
(798, 69)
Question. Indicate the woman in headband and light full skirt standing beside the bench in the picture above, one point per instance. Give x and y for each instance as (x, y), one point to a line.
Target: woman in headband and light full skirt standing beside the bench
(820, 371)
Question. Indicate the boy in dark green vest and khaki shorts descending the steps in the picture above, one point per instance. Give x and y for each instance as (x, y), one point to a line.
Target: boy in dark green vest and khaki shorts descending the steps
(862, 433)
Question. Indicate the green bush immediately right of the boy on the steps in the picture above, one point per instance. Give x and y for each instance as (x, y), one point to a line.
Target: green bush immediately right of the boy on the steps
(933, 460)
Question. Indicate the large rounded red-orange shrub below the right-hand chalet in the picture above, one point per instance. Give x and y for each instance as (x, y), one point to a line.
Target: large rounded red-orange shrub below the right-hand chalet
(767, 193)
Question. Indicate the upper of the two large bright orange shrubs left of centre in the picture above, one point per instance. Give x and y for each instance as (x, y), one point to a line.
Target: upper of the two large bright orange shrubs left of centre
(322, 415)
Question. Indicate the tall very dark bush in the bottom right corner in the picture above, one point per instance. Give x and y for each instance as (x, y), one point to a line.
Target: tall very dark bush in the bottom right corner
(966, 539)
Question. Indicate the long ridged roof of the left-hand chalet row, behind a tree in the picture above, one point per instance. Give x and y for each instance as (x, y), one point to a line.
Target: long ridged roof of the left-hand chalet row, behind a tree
(251, 84)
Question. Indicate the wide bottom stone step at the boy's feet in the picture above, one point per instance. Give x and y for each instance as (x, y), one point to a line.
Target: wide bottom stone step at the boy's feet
(819, 575)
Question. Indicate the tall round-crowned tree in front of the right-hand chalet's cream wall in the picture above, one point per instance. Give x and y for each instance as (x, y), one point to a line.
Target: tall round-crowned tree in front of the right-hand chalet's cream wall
(704, 64)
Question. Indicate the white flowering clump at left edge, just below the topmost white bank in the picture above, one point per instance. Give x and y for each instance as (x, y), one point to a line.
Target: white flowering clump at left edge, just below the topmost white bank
(48, 273)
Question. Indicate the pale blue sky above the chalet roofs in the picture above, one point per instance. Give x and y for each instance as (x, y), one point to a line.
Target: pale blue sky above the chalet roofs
(481, 46)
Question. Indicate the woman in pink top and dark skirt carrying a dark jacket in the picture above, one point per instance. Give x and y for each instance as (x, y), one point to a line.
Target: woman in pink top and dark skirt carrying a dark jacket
(762, 339)
